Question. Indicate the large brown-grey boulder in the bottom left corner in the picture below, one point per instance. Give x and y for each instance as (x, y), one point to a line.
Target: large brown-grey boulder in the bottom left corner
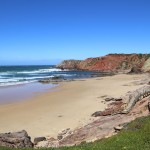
(16, 140)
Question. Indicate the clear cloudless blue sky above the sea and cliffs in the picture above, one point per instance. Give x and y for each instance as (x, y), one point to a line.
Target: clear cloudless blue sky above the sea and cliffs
(47, 31)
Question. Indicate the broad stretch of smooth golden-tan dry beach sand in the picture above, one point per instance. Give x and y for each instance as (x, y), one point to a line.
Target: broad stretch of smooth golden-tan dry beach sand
(69, 105)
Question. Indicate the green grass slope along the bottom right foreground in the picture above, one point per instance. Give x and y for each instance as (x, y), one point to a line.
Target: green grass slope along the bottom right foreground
(135, 136)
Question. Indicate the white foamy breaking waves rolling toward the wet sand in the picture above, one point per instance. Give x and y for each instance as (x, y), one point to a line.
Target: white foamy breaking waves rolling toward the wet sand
(9, 78)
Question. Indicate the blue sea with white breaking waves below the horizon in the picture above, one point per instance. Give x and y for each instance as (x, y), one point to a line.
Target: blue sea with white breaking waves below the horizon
(15, 75)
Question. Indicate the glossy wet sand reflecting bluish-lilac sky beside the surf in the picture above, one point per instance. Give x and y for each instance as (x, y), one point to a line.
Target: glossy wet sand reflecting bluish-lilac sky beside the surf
(18, 93)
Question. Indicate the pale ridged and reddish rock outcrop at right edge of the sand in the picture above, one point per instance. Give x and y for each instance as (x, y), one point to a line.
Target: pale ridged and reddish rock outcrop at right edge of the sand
(125, 103)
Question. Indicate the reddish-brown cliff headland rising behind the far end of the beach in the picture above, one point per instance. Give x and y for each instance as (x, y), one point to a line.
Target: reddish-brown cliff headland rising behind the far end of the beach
(111, 62)
